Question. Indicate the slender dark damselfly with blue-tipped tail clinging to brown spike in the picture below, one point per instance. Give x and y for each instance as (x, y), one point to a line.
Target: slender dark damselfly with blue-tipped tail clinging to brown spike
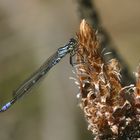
(26, 86)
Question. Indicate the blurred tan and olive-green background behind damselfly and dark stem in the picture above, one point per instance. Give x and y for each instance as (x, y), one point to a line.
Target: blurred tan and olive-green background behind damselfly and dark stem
(32, 30)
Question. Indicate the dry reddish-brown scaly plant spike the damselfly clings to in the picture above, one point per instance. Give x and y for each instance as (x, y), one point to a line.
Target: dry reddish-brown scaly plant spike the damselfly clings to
(112, 111)
